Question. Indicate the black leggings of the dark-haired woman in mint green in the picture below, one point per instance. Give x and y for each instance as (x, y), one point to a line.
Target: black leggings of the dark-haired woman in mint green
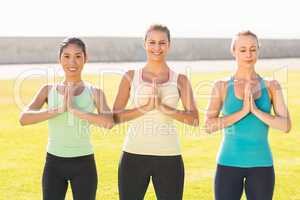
(80, 171)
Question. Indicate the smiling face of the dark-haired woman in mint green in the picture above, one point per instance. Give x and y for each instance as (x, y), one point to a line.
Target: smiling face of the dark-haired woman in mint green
(72, 59)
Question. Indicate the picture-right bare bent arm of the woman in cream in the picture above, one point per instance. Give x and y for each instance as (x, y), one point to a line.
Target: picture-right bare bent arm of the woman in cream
(190, 113)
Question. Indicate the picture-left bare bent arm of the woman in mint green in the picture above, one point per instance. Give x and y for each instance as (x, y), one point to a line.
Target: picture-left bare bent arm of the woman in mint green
(33, 114)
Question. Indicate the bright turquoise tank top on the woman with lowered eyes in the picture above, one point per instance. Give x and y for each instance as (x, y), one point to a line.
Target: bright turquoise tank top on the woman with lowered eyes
(245, 143)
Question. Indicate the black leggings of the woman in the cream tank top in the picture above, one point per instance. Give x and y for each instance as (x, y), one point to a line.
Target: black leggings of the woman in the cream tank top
(135, 170)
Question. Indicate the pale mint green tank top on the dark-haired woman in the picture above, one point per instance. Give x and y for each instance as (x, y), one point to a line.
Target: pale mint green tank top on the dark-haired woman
(69, 136)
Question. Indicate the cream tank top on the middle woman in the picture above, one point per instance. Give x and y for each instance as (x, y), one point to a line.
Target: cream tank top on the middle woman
(154, 133)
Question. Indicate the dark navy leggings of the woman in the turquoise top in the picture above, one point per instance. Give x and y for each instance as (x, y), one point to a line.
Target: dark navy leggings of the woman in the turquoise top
(230, 182)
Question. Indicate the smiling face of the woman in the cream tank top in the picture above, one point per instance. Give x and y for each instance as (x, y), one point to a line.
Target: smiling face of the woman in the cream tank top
(156, 45)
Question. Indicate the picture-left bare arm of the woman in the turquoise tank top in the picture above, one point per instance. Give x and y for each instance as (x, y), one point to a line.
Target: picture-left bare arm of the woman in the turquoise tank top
(213, 121)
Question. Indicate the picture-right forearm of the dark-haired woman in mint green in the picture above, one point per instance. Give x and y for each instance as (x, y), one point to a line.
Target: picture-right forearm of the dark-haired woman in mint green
(104, 120)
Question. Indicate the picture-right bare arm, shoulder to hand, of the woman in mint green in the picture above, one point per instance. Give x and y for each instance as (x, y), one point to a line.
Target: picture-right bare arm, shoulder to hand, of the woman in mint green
(104, 116)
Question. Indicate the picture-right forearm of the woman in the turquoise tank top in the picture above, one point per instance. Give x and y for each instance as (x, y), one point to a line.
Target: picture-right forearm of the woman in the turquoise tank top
(274, 121)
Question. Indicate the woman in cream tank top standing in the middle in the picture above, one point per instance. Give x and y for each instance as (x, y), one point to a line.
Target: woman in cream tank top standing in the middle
(148, 98)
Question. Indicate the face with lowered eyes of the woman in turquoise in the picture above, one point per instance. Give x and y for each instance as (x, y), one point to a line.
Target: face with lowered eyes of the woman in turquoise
(245, 50)
